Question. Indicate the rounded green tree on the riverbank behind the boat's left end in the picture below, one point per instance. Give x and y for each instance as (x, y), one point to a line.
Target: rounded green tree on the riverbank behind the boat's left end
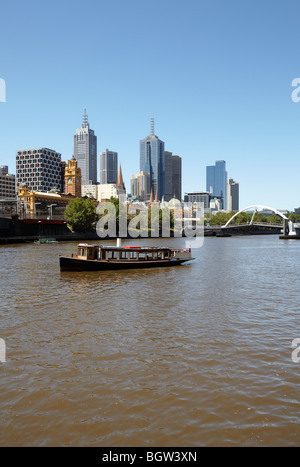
(81, 215)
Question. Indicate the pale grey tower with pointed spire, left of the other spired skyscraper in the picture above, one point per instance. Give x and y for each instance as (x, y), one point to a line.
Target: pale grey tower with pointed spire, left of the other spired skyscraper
(85, 152)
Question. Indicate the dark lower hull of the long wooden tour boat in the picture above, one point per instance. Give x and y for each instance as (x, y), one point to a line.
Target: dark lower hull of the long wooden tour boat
(75, 264)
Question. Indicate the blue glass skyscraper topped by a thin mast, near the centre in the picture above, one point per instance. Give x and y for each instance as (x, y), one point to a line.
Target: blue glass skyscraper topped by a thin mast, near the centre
(152, 160)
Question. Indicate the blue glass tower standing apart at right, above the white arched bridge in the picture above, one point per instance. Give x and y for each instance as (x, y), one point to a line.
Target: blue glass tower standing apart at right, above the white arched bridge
(216, 181)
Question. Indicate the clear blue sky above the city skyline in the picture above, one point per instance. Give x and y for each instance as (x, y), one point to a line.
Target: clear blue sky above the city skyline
(215, 74)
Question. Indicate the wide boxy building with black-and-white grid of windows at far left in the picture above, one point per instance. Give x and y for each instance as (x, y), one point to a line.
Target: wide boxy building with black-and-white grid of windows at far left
(39, 169)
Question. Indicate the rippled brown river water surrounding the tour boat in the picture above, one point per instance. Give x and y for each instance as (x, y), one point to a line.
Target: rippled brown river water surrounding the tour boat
(197, 355)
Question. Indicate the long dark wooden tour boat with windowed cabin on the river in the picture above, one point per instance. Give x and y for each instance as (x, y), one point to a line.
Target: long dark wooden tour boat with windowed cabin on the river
(103, 258)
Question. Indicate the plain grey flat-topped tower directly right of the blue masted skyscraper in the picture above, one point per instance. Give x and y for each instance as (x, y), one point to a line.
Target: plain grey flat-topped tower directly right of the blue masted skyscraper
(173, 180)
